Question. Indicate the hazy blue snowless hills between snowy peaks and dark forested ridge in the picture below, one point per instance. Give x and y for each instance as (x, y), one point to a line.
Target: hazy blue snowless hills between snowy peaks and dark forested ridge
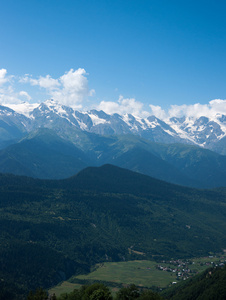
(44, 154)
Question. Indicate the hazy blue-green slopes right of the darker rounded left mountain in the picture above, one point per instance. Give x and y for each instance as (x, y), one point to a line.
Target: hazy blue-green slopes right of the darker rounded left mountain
(176, 163)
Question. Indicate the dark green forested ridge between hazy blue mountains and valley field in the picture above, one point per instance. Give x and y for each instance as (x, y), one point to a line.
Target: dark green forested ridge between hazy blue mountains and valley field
(53, 229)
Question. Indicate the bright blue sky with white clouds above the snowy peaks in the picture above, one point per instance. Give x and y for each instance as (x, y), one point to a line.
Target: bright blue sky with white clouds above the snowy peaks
(161, 52)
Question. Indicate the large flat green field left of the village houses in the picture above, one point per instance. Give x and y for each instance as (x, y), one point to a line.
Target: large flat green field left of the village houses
(142, 273)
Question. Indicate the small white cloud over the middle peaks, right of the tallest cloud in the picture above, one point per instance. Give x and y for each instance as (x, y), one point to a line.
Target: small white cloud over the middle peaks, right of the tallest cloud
(123, 106)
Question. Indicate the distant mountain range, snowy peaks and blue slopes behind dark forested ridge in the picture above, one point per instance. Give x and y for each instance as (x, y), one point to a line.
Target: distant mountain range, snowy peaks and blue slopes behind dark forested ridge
(52, 141)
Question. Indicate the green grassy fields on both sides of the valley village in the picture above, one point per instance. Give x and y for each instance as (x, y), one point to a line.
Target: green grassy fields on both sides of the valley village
(142, 273)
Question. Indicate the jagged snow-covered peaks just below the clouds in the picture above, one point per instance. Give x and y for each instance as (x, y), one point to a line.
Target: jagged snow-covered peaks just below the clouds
(201, 131)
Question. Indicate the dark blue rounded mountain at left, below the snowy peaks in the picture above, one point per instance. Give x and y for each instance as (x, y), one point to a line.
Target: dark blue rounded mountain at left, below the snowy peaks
(42, 154)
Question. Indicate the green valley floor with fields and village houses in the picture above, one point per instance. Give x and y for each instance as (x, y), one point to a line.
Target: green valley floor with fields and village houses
(142, 273)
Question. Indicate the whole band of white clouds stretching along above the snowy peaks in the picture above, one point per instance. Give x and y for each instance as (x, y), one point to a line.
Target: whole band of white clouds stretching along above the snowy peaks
(72, 89)
